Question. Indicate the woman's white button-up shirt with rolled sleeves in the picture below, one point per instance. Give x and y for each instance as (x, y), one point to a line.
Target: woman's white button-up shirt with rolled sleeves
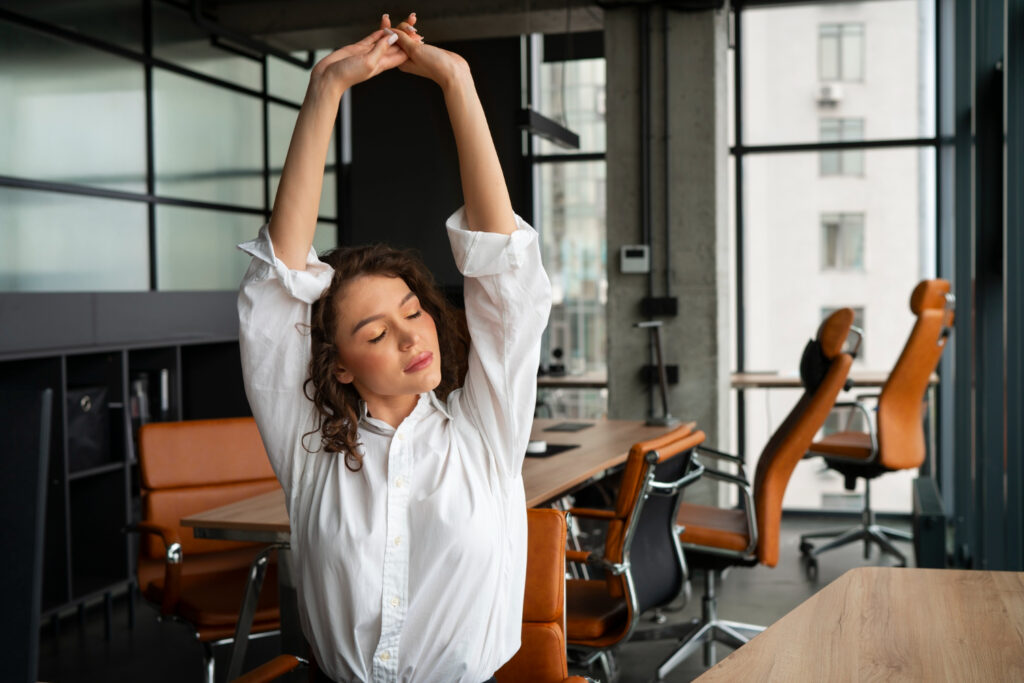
(413, 568)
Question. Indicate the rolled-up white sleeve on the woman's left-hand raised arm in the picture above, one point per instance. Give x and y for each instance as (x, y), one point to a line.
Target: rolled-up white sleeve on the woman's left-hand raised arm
(274, 336)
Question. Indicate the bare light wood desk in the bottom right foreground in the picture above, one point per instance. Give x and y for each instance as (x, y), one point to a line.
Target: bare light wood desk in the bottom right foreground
(892, 624)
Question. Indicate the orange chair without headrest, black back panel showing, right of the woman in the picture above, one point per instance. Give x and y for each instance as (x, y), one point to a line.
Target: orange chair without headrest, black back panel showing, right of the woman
(642, 564)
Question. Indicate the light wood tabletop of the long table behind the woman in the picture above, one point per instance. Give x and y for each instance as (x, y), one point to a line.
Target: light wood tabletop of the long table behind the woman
(601, 447)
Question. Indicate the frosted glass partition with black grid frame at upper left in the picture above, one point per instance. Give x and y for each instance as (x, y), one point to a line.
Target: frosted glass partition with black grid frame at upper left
(136, 159)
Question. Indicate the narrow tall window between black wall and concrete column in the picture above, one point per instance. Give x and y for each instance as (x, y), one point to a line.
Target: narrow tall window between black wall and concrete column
(571, 219)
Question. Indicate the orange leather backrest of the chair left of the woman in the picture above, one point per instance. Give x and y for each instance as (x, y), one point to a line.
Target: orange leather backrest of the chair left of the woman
(192, 466)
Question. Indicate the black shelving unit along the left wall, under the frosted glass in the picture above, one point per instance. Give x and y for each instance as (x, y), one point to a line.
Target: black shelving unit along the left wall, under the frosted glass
(87, 557)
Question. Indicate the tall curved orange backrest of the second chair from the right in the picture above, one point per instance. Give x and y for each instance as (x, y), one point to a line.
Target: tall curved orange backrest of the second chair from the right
(794, 437)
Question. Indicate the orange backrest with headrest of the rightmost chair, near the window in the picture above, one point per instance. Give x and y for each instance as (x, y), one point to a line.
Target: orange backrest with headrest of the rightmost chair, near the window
(902, 431)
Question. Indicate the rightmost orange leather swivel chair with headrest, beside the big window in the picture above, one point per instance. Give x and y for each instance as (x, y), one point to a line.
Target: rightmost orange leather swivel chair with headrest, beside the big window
(899, 441)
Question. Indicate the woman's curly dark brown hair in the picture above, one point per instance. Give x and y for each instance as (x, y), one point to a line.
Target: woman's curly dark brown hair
(337, 404)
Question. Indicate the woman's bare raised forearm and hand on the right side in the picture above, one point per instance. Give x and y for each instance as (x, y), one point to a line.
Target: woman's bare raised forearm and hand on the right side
(488, 204)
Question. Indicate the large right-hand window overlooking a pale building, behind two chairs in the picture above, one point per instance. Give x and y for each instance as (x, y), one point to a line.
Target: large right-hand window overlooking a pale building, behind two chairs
(838, 201)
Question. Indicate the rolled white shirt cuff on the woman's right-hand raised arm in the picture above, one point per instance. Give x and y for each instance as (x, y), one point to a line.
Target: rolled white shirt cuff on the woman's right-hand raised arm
(479, 253)
